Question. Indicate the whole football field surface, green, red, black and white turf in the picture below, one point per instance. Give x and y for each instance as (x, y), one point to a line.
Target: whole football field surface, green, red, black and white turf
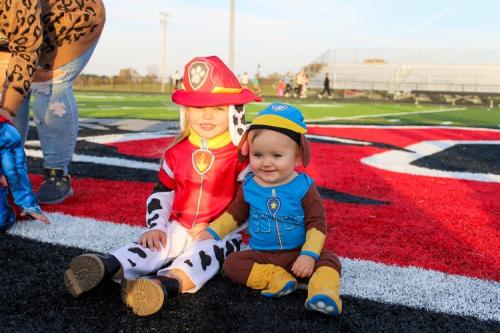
(411, 198)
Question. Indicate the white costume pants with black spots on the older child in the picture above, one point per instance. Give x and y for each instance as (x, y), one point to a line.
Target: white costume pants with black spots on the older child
(200, 260)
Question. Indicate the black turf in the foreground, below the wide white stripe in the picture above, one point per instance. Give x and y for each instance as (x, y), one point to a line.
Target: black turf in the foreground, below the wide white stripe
(34, 299)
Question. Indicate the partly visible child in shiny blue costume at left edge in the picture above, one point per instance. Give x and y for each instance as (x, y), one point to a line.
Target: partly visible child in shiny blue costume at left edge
(14, 176)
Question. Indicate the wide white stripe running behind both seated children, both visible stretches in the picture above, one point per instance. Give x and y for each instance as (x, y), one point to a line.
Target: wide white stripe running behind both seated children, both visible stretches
(410, 286)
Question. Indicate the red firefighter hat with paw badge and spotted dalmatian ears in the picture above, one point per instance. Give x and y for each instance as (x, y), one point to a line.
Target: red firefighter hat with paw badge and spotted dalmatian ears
(207, 81)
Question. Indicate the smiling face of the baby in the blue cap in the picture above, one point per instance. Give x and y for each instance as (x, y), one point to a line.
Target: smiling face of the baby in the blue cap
(273, 157)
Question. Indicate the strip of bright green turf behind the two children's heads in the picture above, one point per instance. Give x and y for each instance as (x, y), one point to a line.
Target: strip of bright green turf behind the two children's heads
(151, 106)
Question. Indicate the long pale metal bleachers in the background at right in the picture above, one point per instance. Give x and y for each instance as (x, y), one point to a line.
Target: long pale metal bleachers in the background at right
(405, 71)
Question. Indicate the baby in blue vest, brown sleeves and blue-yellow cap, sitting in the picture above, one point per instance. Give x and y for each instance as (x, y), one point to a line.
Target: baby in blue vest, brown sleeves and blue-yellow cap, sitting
(285, 215)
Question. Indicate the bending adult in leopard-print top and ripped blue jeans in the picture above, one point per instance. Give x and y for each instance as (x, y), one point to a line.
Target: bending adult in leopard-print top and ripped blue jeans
(50, 42)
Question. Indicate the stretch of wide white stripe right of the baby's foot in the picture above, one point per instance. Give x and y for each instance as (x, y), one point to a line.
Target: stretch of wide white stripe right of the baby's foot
(423, 289)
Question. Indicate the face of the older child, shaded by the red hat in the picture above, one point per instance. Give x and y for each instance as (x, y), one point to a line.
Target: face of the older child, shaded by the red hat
(208, 122)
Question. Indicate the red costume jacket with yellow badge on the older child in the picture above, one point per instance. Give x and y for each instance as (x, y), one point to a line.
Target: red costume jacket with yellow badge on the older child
(204, 180)
